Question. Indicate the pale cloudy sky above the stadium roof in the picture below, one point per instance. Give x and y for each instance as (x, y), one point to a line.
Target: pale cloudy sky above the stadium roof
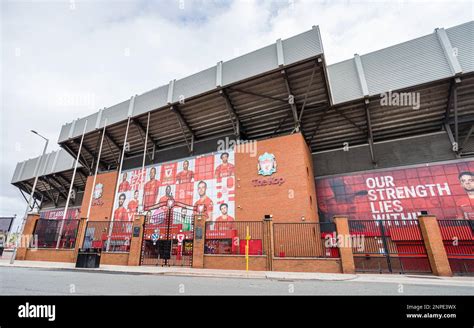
(61, 60)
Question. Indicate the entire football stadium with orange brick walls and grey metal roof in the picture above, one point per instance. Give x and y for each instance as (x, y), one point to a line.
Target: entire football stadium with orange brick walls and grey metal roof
(276, 153)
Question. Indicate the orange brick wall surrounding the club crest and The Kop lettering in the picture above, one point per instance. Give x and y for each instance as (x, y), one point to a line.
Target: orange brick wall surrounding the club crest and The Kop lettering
(288, 202)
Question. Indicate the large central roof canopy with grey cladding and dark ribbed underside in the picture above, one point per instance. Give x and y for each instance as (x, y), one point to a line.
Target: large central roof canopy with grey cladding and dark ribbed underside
(248, 97)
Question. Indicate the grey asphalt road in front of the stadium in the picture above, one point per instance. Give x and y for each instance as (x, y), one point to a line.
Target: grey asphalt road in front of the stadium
(35, 281)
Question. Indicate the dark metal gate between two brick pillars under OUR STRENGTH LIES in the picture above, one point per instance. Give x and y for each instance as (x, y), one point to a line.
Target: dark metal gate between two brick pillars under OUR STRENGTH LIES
(389, 246)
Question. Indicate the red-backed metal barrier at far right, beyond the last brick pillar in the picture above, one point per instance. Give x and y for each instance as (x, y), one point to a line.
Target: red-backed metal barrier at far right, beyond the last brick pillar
(458, 239)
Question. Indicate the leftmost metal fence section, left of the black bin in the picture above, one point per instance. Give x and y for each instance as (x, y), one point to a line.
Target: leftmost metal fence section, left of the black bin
(48, 233)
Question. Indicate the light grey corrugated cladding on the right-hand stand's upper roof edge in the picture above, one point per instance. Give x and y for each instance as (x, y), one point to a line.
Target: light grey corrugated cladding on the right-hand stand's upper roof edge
(403, 65)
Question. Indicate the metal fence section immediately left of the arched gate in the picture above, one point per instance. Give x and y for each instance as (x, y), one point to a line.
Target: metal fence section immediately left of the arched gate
(109, 236)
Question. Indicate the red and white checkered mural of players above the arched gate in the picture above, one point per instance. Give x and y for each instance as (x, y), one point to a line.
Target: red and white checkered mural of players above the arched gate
(204, 183)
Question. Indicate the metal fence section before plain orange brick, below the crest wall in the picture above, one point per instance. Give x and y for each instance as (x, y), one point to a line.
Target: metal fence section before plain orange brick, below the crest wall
(305, 240)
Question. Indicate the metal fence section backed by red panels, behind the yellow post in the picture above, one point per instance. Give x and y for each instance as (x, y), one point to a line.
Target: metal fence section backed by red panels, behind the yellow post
(229, 238)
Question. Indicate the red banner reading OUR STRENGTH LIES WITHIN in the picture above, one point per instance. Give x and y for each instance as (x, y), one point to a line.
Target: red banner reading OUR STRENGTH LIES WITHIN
(444, 190)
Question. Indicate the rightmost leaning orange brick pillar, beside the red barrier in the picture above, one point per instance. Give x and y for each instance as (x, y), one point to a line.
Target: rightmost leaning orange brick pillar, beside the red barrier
(434, 245)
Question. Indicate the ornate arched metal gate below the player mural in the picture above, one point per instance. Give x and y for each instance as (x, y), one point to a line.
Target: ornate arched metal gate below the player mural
(168, 235)
